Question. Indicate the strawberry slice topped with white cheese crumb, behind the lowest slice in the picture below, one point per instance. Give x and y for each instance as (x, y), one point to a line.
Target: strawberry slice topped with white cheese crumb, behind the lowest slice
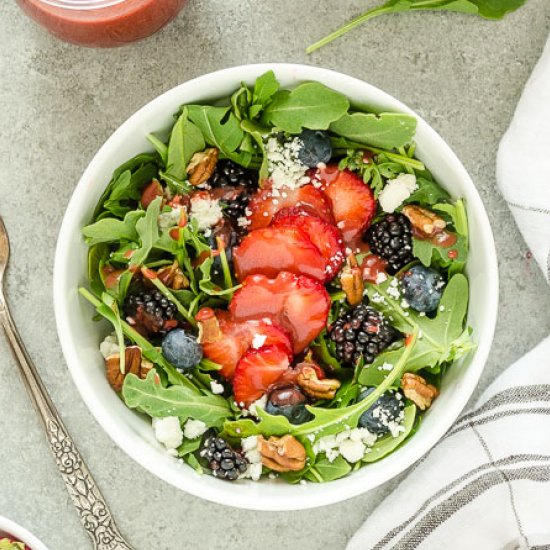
(239, 337)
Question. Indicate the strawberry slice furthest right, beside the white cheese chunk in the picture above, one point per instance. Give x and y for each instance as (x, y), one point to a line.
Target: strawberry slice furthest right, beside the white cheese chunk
(353, 203)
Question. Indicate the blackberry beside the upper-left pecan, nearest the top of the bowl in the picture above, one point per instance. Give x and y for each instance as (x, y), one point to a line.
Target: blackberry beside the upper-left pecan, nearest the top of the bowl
(233, 185)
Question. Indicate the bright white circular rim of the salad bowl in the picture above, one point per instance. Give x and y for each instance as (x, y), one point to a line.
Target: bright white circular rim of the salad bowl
(140, 450)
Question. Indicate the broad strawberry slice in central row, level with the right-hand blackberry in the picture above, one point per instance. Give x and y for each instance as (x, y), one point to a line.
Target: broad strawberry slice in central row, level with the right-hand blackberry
(270, 250)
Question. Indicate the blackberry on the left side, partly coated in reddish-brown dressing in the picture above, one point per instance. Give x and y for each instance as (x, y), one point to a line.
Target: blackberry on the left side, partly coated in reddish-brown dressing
(150, 312)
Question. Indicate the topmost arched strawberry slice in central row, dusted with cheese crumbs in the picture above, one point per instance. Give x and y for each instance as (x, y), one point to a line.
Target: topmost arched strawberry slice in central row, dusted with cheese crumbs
(267, 202)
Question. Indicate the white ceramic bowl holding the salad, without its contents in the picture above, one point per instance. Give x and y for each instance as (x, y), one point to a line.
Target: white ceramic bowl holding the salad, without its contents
(80, 336)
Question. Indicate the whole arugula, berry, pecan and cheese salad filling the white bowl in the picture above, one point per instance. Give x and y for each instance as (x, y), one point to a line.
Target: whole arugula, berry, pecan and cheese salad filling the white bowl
(285, 283)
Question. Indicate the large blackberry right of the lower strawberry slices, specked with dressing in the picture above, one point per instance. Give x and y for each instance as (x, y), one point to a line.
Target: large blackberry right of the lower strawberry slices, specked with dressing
(363, 331)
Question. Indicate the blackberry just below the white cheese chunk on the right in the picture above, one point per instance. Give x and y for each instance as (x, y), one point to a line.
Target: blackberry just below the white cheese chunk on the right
(391, 238)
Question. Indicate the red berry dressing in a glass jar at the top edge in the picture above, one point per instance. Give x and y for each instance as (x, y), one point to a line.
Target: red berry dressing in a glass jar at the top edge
(102, 23)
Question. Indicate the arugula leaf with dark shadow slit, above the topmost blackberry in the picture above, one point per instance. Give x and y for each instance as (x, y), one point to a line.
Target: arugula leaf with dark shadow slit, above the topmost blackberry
(219, 126)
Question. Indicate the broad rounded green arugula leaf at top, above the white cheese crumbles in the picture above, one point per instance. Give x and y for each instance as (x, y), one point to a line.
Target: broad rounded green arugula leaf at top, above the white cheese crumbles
(310, 105)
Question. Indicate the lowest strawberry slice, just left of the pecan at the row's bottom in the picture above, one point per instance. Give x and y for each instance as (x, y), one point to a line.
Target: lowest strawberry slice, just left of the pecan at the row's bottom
(257, 371)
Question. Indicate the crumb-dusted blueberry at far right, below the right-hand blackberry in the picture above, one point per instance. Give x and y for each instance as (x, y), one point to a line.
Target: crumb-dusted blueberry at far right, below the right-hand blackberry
(422, 287)
